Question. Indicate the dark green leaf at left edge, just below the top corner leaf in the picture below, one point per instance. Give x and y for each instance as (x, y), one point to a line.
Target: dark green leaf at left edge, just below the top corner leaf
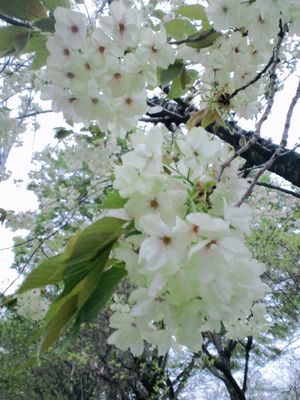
(13, 40)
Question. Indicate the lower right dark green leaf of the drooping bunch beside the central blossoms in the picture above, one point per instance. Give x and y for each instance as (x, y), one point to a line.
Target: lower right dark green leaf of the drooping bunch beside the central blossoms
(102, 293)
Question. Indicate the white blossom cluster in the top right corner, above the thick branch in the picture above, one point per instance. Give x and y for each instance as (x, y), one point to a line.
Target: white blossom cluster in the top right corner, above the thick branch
(249, 30)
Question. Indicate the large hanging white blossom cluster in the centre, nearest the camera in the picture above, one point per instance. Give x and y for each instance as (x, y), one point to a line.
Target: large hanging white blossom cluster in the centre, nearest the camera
(185, 254)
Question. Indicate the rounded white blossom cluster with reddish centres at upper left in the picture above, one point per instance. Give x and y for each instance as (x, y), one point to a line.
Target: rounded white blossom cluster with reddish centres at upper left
(100, 73)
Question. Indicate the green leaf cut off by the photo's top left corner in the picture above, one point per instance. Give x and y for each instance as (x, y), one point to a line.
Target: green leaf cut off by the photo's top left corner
(28, 10)
